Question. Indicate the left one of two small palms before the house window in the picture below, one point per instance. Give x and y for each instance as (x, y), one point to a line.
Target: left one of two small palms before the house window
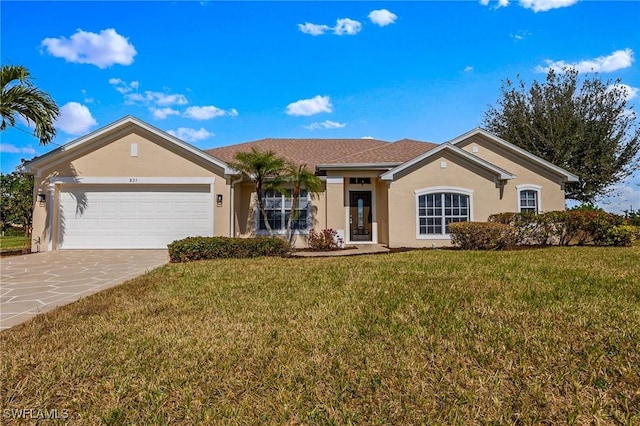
(265, 169)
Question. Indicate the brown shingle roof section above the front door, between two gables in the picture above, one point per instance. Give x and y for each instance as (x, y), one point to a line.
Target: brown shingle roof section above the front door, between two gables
(330, 151)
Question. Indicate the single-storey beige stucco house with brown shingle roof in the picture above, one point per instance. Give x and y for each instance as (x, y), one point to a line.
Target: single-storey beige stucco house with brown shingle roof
(131, 185)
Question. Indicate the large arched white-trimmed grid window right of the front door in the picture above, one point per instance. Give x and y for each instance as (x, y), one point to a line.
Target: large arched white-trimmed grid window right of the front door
(437, 209)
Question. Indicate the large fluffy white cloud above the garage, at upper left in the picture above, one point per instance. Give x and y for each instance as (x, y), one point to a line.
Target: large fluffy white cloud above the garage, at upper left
(102, 50)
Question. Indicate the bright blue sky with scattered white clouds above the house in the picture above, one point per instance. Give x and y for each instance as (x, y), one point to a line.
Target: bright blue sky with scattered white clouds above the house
(218, 73)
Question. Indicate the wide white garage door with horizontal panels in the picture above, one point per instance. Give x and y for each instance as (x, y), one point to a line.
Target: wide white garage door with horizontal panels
(132, 216)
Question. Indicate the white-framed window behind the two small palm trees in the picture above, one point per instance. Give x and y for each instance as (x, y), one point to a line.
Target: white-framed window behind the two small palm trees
(279, 206)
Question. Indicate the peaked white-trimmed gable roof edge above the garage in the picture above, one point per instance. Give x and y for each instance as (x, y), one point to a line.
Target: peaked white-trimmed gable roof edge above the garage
(131, 123)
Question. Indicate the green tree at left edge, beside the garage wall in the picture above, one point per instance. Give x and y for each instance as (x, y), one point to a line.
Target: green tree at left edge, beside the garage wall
(16, 200)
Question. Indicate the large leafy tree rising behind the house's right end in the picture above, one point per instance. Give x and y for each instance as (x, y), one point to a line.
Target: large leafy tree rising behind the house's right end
(586, 128)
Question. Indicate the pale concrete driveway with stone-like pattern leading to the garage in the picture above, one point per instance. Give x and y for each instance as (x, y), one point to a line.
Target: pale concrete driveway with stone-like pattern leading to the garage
(39, 282)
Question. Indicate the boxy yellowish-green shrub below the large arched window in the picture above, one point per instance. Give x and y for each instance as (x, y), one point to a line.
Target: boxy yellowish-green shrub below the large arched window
(482, 235)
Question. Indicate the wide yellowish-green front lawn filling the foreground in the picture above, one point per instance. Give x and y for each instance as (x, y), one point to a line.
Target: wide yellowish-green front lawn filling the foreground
(542, 336)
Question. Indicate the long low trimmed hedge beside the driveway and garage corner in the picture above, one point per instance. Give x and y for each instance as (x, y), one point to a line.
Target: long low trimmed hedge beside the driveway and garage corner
(202, 248)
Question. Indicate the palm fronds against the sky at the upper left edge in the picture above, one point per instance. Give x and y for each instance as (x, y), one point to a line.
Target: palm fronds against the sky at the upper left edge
(21, 97)
